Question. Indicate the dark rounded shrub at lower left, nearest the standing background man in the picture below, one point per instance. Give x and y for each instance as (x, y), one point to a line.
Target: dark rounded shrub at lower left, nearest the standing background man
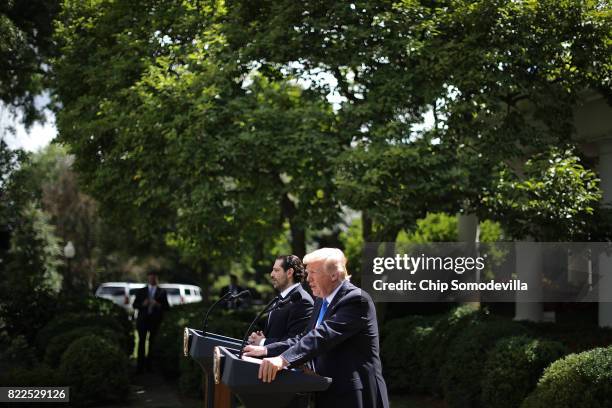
(96, 370)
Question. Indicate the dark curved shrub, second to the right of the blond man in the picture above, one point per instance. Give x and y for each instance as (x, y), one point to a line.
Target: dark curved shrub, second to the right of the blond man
(463, 371)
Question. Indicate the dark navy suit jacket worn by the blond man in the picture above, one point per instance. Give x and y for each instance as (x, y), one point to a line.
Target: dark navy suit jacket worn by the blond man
(344, 347)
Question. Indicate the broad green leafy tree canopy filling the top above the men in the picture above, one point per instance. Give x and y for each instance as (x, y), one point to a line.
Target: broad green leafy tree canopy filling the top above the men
(216, 125)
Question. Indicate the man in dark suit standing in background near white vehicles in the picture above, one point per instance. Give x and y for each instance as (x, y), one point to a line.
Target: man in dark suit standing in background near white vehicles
(151, 303)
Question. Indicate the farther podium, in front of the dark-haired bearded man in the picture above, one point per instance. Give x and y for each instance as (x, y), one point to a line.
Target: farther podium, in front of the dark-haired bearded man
(200, 347)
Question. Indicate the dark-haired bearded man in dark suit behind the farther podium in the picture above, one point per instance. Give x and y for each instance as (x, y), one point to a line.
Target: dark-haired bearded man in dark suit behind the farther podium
(290, 320)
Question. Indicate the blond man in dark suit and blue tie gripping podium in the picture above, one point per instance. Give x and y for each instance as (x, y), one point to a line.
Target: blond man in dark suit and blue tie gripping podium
(342, 340)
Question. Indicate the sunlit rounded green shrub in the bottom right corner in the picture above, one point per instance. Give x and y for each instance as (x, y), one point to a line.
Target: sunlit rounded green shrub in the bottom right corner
(577, 381)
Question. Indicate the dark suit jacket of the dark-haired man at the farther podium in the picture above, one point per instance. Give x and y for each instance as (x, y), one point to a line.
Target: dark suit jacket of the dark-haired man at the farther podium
(290, 320)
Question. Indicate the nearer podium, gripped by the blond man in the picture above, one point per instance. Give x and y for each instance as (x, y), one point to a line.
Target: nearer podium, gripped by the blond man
(240, 375)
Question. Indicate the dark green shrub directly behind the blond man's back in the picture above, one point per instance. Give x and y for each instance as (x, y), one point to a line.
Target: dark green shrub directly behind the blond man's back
(403, 343)
